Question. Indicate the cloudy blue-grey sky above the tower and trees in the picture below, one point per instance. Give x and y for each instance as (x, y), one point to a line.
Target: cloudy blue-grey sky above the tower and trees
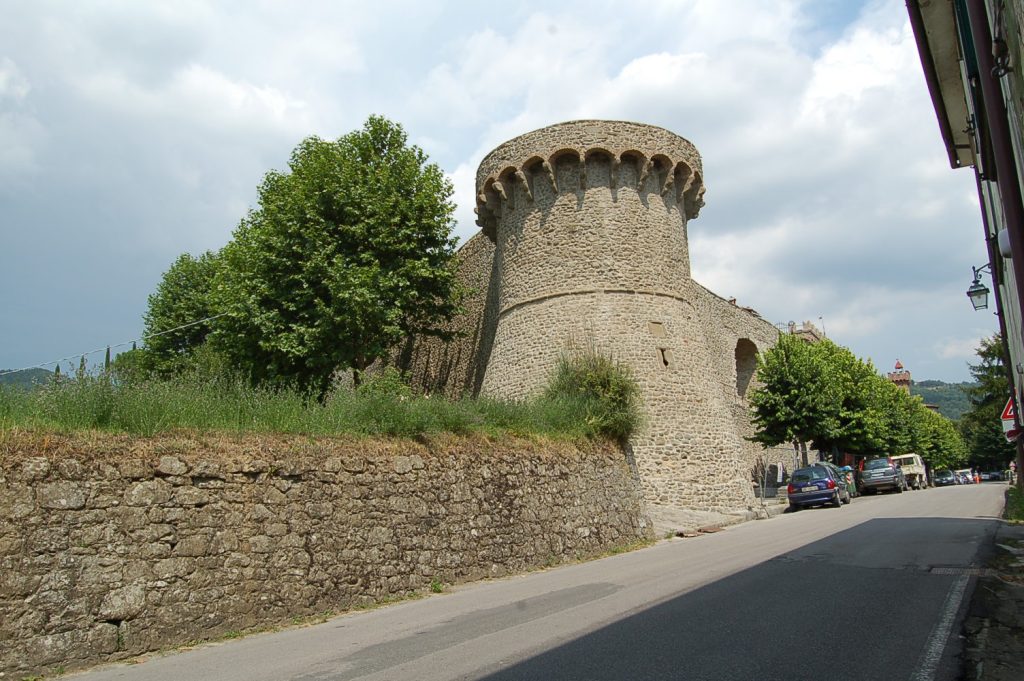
(132, 133)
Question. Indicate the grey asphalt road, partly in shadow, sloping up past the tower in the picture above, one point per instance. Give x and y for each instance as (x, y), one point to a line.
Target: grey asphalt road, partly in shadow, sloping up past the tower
(874, 590)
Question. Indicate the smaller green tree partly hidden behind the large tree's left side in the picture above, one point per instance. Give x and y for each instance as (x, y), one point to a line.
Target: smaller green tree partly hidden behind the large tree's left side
(182, 299)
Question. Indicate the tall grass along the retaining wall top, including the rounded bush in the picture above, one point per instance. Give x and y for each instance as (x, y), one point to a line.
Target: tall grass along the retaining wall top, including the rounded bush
(585, 401)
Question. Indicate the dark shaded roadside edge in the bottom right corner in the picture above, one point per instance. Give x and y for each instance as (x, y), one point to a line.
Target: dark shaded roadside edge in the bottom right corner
(995, 626)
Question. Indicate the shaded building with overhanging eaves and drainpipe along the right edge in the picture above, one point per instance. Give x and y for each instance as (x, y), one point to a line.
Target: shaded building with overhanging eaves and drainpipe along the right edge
(973, 59)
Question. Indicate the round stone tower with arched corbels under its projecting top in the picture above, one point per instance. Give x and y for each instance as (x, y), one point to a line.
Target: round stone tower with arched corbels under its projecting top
(589, 225)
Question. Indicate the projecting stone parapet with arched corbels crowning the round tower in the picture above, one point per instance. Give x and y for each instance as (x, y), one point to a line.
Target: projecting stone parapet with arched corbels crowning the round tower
(579, 156)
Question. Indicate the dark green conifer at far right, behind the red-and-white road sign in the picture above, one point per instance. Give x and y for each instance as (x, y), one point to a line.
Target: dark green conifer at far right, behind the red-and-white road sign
(982, 424)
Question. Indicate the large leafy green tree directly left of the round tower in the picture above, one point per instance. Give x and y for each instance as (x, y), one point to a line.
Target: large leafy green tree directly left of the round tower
(348, 252)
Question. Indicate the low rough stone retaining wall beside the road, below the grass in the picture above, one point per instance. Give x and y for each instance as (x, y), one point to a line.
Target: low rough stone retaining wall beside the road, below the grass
(111, 547)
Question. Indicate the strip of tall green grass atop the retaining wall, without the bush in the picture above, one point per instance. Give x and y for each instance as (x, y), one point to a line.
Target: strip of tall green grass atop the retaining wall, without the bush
(151, 407)
